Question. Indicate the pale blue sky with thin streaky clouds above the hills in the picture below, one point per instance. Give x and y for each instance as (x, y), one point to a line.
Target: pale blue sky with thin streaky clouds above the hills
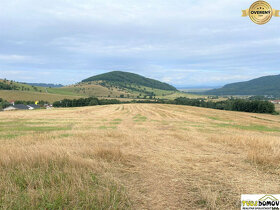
(187, 43)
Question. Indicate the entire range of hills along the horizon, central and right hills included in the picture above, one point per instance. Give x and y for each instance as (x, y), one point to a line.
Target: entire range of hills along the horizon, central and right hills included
(118, 84)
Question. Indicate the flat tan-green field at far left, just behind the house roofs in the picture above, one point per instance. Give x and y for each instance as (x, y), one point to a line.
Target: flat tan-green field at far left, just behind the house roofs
(13, 95)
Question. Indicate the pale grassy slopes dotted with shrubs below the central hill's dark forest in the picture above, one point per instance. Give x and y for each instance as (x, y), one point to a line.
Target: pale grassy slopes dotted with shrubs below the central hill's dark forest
(89, 89)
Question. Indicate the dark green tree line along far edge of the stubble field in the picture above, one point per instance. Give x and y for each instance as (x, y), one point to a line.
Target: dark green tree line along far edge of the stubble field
(242, 105)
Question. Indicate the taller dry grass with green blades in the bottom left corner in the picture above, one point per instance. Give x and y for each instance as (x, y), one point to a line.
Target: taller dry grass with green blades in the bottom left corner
(37, 175)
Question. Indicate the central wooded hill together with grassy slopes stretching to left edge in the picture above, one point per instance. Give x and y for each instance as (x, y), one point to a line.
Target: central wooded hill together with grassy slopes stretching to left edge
(116, 84)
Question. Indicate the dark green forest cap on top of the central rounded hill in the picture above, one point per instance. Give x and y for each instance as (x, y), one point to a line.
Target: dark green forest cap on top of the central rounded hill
(119, 77)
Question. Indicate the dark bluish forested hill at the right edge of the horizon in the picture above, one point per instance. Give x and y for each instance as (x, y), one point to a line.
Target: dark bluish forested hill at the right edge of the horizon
(268, 85)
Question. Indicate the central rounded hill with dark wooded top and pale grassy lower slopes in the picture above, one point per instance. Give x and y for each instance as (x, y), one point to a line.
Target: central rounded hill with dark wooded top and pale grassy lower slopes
(119, 84)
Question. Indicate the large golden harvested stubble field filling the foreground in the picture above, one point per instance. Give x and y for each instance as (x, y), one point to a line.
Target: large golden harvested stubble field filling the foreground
(136, 156)
